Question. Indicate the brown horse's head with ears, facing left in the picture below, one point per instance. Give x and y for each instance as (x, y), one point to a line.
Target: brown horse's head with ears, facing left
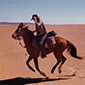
(19, 33)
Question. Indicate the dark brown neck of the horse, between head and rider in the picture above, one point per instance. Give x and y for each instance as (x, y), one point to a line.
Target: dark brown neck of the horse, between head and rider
(27, 38)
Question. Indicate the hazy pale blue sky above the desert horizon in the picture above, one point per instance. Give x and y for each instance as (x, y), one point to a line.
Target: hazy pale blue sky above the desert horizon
(51, 11)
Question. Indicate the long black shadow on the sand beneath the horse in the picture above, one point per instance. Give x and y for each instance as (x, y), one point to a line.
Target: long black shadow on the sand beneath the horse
(23, 81)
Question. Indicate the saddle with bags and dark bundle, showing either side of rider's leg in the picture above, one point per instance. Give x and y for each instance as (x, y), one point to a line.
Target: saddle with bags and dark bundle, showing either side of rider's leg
(49, 41)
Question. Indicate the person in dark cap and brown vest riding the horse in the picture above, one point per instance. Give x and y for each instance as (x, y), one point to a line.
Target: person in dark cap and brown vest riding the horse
(41, 33)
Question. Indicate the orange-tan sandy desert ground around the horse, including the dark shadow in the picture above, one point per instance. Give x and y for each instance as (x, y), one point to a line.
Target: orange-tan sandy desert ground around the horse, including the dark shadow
(13, 69)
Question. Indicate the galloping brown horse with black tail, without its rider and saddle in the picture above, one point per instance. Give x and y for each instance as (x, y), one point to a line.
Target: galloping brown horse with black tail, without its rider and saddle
(58, 49)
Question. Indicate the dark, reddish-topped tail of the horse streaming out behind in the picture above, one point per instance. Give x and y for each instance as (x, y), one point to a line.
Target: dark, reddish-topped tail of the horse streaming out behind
(72, 50)
